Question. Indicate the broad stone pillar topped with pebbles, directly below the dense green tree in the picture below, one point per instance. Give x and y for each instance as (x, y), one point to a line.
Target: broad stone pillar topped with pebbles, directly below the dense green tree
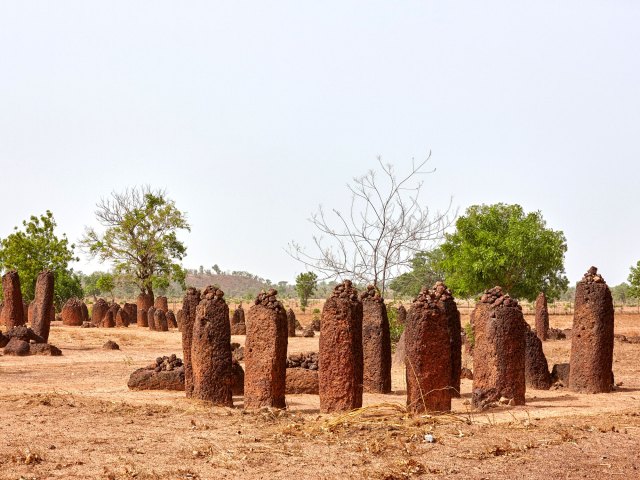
(499, 350)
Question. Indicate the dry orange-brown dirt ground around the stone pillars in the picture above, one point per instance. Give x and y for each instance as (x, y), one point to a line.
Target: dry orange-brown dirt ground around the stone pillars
(74, 417)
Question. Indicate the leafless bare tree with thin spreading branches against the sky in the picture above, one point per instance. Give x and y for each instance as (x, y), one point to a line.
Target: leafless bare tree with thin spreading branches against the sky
(385, 227)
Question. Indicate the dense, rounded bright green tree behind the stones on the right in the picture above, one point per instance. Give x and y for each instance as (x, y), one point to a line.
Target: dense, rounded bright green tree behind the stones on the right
(502, 245)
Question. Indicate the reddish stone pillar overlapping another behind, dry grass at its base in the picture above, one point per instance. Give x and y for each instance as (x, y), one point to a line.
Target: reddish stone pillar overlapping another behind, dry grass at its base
(428, 353)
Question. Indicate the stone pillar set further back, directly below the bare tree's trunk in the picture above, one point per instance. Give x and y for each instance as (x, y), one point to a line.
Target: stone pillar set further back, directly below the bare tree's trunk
(376, 343)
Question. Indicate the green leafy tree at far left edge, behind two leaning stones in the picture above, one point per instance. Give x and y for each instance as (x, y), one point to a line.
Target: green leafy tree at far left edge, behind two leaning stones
(35, 248)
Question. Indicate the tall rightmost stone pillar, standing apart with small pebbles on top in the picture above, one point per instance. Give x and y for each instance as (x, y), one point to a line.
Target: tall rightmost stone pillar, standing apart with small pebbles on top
(592, 336)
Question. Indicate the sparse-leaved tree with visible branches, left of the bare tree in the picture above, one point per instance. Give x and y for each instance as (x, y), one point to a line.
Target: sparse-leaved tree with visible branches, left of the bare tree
(140, 238)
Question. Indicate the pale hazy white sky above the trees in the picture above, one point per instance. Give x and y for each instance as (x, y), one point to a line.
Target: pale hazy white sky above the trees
(253, 113)
